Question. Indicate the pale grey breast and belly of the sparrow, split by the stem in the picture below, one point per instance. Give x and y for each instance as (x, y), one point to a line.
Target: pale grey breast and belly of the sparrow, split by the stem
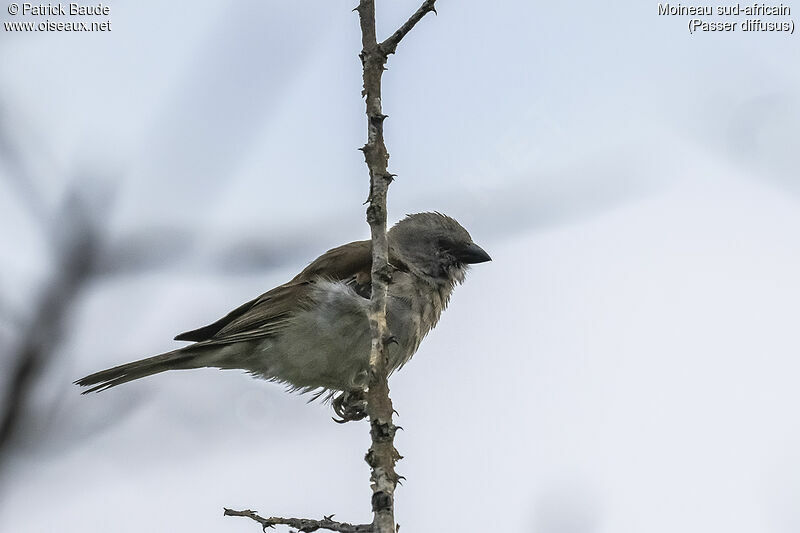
(327, 345)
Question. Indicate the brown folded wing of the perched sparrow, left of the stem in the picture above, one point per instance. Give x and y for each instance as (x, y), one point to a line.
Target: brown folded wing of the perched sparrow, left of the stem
(267, 314)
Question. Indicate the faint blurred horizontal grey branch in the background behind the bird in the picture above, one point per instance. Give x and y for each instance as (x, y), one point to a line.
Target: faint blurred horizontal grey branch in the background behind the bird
(531, 201)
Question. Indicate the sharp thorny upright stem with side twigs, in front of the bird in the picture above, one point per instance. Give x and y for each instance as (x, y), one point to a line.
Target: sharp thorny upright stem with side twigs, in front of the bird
(382, 455)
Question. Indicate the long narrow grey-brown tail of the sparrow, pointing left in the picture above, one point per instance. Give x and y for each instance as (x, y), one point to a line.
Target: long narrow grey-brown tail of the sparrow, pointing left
(183, 358)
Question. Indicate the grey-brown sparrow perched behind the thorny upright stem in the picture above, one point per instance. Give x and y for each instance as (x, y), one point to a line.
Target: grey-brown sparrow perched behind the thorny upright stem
(312, 333)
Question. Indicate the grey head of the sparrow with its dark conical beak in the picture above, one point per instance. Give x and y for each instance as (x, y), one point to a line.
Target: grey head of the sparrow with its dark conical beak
(435, 247)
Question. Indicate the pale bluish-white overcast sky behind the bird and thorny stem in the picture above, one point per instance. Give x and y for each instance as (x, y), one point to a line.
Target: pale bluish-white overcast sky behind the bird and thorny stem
(627, 362)
